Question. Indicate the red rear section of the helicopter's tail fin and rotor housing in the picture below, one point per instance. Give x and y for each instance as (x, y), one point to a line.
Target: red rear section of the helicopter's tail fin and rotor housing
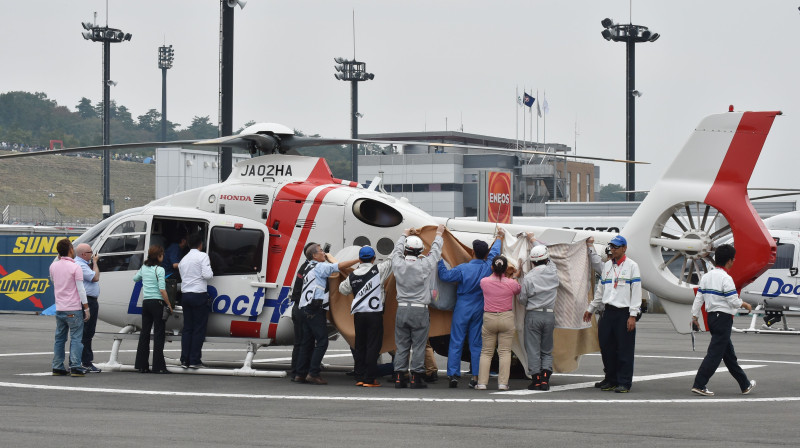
(755, 248)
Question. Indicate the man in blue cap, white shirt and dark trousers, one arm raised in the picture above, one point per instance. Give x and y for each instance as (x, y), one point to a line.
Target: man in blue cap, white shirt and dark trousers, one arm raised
(620, 290)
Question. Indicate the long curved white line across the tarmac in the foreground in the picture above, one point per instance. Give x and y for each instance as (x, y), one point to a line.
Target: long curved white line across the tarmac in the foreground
(392, 399)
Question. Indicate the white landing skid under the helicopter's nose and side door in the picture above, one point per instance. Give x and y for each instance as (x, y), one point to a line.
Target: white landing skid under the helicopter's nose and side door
(246, 369)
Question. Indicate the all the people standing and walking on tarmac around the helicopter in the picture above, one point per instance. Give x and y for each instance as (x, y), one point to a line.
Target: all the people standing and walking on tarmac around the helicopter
(482, 317)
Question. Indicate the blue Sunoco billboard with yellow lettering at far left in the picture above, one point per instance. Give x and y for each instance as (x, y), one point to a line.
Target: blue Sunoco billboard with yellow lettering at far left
(25, 283)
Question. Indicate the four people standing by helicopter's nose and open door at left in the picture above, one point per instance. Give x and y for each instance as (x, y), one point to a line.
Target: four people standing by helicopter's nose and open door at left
(75, 276)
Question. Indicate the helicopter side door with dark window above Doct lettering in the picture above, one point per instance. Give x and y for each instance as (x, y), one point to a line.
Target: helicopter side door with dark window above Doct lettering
(237, 259)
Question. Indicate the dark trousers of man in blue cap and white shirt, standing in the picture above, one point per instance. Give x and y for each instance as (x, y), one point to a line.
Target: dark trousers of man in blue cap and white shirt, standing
(617, 345)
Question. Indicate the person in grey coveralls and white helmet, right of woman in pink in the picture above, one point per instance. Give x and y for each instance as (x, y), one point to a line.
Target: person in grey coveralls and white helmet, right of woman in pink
(538, 295)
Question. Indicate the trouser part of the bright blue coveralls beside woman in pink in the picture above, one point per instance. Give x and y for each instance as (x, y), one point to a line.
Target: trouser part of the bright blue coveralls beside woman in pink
(466, 323)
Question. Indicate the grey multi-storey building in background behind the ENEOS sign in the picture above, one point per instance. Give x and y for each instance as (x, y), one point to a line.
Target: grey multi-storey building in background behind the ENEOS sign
(444, 181)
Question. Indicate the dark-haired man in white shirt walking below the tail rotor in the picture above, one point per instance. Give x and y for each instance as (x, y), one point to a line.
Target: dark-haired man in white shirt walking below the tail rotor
(718, 292)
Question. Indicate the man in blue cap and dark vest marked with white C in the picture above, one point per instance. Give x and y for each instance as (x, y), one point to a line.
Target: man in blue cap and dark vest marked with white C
(366, 285)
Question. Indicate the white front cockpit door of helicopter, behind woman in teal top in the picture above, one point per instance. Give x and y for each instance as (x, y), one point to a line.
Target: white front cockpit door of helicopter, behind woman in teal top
(122, 250)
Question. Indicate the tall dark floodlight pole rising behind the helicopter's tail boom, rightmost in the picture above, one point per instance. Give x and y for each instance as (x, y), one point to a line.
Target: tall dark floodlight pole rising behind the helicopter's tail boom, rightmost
(631, 35)
